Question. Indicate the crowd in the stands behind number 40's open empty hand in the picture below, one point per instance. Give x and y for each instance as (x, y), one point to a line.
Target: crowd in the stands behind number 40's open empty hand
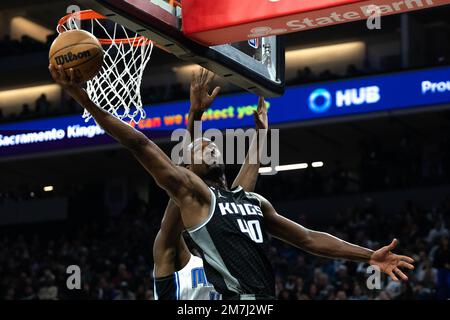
(422, 234)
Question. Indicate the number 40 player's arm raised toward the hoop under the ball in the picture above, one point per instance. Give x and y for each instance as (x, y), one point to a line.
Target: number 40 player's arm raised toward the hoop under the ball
(179, 183)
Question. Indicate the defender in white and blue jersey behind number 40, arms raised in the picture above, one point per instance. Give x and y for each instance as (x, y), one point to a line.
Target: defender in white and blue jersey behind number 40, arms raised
(180, 275)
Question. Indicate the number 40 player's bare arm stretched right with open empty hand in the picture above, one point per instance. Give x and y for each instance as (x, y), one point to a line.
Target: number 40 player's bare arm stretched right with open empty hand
(326, 245)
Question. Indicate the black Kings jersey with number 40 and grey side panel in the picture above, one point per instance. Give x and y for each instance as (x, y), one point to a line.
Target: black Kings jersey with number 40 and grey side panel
(232, 243)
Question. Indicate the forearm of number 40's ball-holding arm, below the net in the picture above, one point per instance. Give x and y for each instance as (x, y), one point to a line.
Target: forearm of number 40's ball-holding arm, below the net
(118, 129)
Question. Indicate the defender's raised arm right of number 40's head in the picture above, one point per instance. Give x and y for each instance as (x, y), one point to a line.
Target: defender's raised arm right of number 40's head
(248, 174)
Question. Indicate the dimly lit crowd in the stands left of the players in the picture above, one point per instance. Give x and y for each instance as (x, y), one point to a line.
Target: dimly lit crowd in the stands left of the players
(114, 255)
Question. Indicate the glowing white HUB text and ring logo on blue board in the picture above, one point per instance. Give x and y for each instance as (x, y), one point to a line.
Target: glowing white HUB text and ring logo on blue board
(321, 100)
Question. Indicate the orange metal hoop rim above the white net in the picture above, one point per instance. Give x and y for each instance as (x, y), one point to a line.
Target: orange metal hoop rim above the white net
(91, 15)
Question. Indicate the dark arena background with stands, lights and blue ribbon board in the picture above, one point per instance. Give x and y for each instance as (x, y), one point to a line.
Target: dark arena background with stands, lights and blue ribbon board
(364, 122)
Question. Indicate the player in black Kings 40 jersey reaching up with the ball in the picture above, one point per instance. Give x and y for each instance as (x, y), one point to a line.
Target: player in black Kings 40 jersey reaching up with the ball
(229, 227)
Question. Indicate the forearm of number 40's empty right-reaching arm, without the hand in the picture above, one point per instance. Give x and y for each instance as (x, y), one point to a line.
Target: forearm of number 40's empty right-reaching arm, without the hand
(324, 244)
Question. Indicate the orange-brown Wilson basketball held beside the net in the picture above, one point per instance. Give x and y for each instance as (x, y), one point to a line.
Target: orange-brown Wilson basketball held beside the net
(77, 49)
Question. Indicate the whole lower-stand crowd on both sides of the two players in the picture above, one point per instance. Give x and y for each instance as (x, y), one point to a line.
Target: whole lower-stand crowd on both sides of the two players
(115, 256)
